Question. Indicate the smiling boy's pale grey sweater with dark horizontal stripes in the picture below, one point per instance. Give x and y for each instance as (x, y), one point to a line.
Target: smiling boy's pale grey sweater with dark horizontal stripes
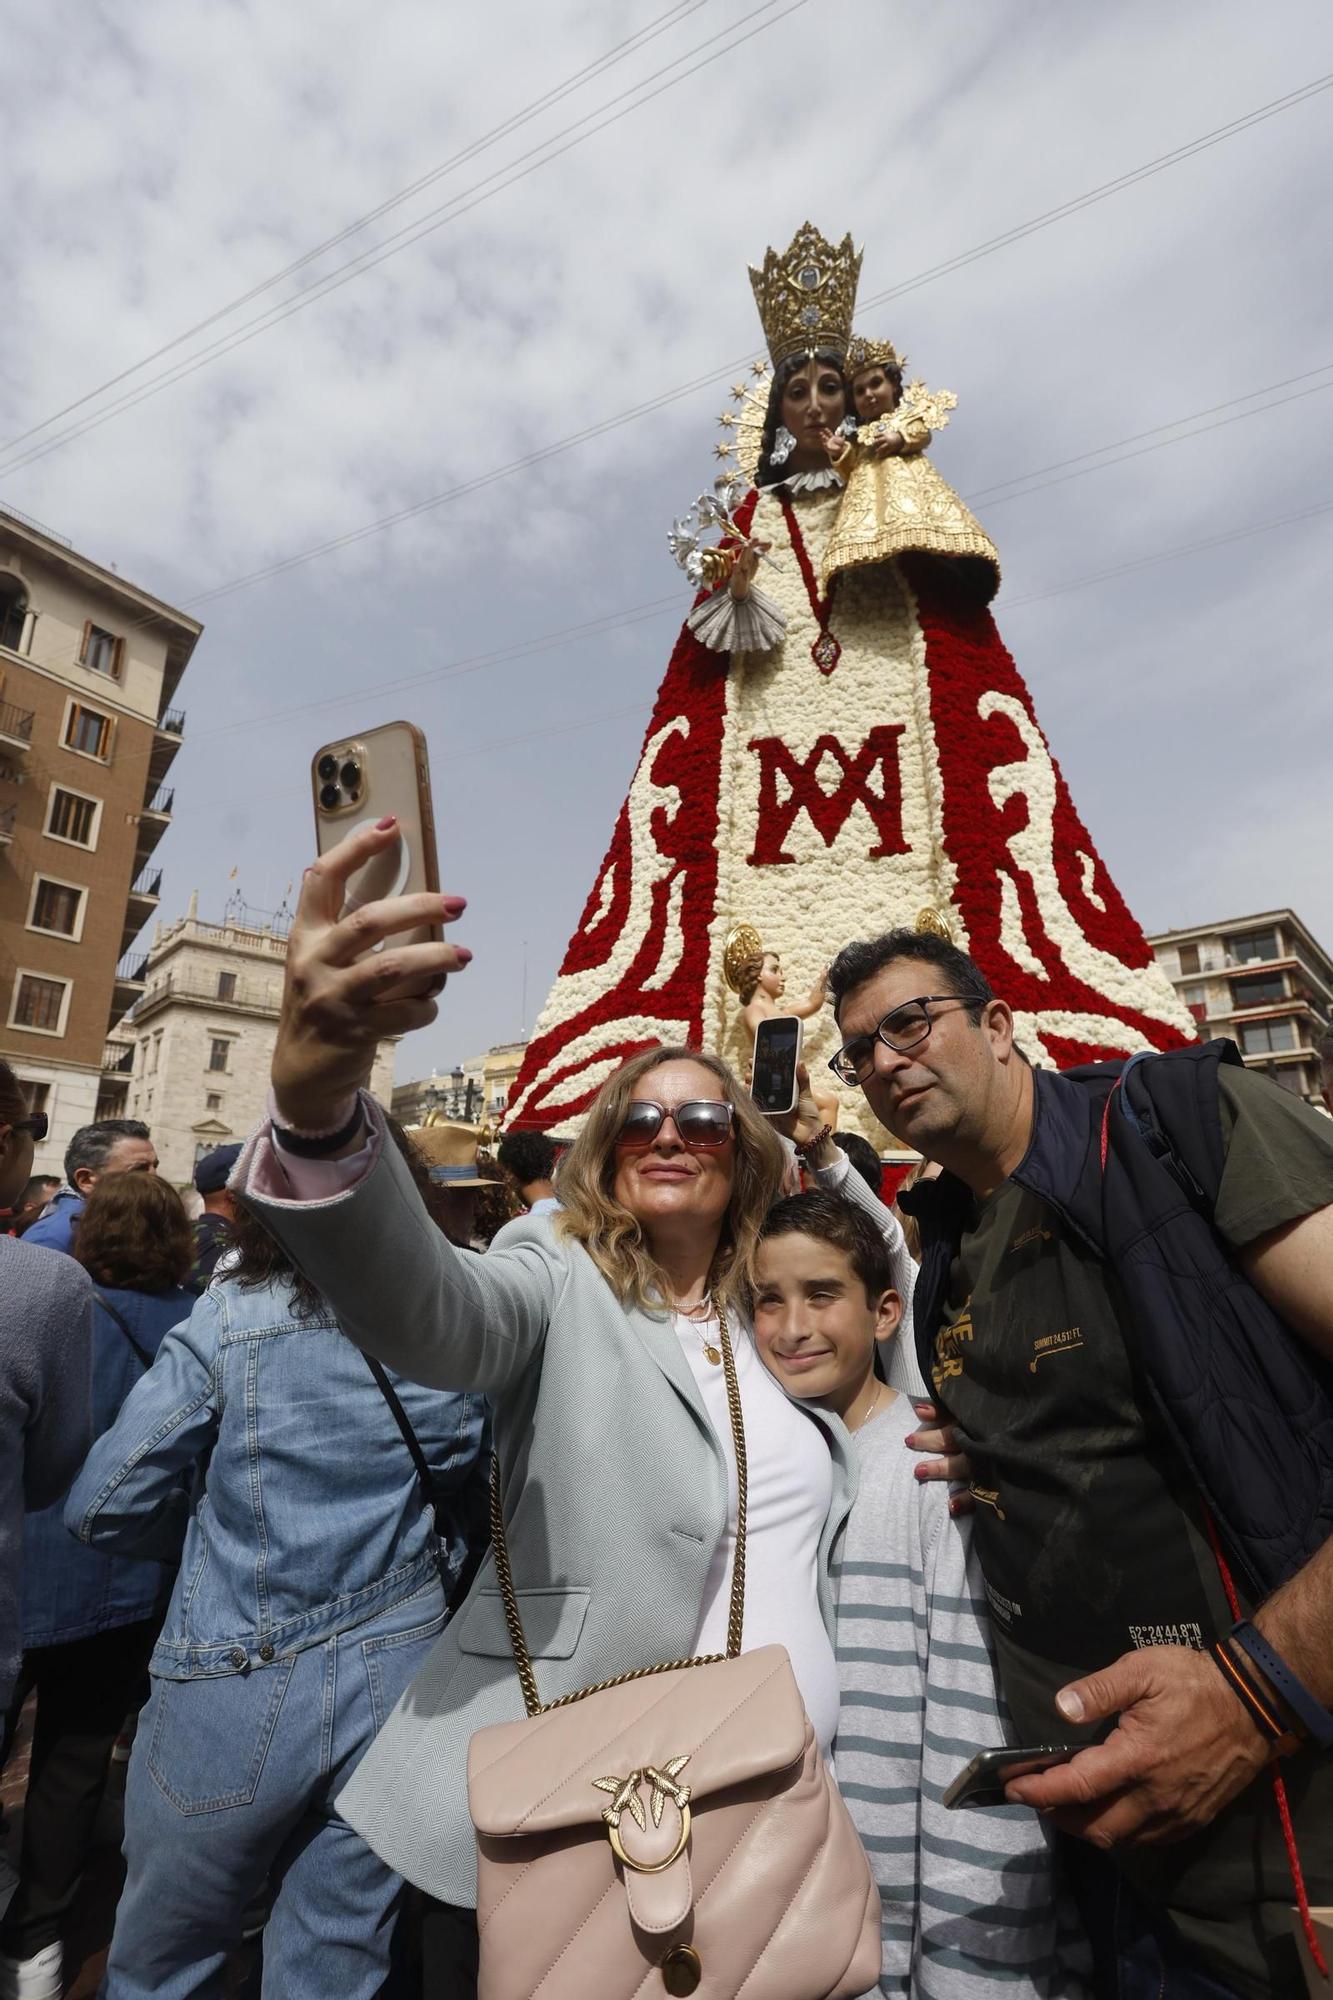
(968, 1897)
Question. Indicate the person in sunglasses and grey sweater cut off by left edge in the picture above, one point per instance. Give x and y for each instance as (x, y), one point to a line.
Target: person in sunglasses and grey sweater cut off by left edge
(45, 1371)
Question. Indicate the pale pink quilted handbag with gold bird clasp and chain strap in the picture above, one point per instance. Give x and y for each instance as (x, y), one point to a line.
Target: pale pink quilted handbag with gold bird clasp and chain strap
(670, 1831)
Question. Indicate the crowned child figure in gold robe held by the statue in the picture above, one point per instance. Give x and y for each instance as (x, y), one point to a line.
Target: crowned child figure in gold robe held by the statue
(896, 503)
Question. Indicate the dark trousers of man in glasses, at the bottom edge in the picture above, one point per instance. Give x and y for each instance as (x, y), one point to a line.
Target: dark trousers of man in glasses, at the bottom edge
(1138, 1953)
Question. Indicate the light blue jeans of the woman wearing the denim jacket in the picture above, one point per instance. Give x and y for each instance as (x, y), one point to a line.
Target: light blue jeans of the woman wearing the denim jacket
(231, 1791)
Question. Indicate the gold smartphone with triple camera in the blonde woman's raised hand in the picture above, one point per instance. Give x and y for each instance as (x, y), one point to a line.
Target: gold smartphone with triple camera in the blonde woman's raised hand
(359, 781)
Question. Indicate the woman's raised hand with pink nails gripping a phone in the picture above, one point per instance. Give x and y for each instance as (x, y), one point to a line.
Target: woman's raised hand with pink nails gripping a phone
(341, 997)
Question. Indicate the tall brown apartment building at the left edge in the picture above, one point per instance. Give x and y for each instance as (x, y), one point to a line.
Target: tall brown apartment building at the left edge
(89, 675)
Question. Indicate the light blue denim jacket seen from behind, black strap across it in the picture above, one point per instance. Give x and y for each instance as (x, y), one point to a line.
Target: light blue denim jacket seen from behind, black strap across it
(311, 1517)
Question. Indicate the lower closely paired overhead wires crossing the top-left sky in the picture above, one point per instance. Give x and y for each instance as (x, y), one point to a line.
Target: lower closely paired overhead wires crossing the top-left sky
(413, 233)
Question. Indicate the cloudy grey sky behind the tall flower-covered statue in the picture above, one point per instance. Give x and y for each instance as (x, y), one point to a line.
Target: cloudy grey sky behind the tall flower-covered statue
(575, 193)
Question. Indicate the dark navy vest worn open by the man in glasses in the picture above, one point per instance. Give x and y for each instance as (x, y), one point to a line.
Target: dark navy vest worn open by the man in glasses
(1248, 1403)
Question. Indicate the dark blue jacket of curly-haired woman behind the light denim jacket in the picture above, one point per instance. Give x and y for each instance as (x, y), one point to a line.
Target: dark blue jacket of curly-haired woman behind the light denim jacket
(69, 1591)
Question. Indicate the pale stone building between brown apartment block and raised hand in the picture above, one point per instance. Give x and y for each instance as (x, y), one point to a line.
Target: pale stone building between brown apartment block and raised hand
(199, 1045)
